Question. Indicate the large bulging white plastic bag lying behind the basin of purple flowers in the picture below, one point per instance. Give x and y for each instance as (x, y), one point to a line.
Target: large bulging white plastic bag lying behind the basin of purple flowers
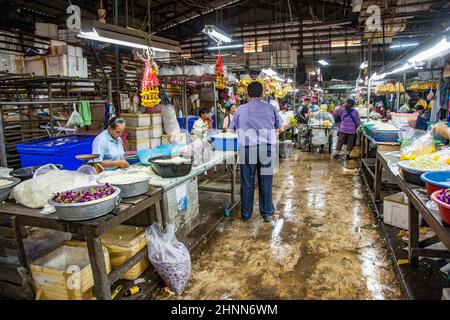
(34, 193)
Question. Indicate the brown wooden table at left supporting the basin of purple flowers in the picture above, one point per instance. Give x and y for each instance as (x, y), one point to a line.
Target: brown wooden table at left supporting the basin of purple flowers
(92, 230)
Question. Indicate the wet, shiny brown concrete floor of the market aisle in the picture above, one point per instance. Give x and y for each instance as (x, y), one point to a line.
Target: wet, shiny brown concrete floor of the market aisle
(325, 245)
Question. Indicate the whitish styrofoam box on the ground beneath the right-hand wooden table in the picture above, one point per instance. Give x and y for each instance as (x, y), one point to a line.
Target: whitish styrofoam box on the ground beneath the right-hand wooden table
(395, 211)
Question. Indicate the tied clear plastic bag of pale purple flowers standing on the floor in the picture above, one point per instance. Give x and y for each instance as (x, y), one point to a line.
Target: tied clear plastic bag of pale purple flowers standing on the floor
(170, 257)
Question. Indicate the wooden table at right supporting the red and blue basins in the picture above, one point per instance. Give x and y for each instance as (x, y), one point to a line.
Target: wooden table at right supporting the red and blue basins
(417, 205)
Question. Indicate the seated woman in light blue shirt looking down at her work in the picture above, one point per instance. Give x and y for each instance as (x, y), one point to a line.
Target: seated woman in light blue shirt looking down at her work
(109, 145)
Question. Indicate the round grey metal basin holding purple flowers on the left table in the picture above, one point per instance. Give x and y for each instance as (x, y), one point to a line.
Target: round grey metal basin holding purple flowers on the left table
(86, 210)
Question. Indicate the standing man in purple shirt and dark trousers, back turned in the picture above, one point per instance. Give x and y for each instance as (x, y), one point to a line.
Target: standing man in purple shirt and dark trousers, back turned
(256, 124)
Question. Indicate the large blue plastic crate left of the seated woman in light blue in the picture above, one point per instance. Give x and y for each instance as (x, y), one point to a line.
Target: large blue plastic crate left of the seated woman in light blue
(61, 150)
